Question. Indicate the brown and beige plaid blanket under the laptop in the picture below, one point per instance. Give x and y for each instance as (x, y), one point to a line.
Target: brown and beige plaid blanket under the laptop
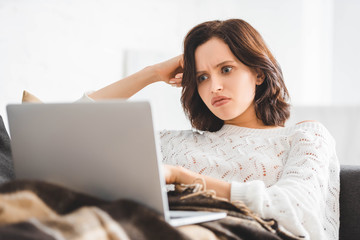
(43, 211)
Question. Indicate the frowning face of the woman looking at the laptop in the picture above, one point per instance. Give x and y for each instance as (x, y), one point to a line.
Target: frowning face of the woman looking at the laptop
(225, 84)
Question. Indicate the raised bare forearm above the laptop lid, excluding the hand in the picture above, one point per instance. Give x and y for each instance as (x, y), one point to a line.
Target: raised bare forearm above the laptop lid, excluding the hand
(128, 86)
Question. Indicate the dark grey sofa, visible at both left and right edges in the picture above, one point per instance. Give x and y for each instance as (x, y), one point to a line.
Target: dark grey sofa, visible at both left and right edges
(349, 189)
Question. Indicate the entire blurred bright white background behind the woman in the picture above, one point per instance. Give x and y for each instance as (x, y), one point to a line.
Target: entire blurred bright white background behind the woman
(58, 49)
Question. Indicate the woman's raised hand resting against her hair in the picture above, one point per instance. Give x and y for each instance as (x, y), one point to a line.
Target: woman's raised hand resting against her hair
(170, 71)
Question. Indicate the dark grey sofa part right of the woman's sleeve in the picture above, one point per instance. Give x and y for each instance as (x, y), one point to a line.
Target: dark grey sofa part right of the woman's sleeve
(349, 202)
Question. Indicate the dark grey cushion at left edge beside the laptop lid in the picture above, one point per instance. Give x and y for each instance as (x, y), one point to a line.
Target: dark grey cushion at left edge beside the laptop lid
(6, 163)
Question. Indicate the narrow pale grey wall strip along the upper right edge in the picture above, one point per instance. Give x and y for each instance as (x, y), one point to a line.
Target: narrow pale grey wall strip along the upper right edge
(346, 62)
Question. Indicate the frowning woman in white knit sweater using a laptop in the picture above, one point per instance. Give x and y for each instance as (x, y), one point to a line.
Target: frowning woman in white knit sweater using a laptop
(233, 92)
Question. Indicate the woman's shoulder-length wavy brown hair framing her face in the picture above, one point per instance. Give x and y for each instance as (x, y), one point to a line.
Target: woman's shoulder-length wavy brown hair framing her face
(248, 46)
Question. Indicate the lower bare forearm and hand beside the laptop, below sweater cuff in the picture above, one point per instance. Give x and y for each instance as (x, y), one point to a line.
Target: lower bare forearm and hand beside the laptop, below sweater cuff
(221, 187)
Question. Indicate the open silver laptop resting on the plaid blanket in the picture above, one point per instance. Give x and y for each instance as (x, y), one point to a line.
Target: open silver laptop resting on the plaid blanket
(106, 149)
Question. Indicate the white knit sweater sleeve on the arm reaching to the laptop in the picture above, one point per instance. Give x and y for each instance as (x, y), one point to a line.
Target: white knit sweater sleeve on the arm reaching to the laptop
(305, 200)
